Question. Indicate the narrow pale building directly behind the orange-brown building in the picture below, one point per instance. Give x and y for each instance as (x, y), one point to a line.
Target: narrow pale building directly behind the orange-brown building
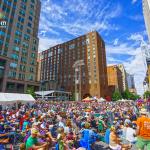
(124, 76)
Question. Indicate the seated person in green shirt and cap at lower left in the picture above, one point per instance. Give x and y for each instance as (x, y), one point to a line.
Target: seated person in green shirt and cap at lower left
(32, 141)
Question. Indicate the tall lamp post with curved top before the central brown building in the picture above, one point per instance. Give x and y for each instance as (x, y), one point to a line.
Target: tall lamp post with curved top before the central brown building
(77, 65)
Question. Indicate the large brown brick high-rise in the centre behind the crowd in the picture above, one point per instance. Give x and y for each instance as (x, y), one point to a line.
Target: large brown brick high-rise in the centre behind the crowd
(58, 66)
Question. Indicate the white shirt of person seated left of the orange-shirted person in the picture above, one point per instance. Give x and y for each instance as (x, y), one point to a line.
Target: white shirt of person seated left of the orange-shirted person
(130, 134)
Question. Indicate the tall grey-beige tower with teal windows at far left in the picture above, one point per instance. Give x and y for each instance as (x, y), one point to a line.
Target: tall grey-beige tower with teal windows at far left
(19, 21)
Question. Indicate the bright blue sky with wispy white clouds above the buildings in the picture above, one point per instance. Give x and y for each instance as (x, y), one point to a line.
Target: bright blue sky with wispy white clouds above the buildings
(119, 22)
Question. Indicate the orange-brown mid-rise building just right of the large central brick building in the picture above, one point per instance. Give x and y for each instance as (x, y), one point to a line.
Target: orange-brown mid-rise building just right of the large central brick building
(115, 79)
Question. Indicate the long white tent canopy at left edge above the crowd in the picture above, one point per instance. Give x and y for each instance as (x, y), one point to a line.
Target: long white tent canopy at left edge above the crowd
(15, 97)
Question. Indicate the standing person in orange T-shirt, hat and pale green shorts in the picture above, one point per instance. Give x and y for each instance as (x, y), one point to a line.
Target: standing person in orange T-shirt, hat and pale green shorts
(143, 130)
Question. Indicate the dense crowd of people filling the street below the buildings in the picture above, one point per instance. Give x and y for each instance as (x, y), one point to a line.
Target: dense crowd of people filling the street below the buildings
(75, 125)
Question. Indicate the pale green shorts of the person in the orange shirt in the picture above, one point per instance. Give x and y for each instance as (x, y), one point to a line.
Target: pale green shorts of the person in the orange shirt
(142, 143)
